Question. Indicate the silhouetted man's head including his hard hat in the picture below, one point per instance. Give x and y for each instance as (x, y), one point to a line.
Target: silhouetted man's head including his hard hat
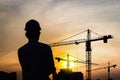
(32, 28)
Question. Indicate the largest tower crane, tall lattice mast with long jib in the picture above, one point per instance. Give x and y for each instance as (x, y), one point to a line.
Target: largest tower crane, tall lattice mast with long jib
(88, 48)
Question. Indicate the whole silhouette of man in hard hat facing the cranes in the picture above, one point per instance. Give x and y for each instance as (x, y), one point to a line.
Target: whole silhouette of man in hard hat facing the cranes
(36, 58)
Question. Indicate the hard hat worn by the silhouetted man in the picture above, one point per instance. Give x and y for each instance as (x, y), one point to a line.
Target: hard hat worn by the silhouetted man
(32, 26)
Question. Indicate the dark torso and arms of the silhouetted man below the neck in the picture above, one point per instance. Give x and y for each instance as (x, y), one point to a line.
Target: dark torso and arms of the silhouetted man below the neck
(36, 60)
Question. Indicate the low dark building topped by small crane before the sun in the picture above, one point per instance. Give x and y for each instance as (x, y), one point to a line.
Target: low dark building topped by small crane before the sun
(67, 73)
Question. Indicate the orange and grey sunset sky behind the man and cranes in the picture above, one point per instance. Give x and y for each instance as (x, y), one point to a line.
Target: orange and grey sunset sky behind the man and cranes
(60, 19)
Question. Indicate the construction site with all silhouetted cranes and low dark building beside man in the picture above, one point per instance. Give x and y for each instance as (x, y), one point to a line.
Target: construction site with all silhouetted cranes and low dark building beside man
(67, 73)
